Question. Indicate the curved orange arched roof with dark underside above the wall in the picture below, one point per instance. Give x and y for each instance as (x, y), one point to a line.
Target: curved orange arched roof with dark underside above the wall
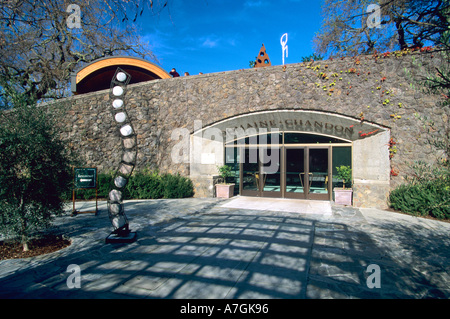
(98, 74)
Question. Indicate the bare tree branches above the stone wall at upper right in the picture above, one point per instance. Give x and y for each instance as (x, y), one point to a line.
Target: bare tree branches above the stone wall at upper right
(349, 28)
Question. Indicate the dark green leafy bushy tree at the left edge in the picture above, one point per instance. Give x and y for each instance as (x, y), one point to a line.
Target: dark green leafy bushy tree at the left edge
(35, 170)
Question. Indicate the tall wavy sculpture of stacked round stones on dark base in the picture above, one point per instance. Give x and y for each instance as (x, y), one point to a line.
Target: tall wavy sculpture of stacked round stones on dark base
(121, 233)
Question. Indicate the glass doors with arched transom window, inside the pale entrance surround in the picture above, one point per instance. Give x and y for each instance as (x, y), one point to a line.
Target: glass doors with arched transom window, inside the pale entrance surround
(287, 164)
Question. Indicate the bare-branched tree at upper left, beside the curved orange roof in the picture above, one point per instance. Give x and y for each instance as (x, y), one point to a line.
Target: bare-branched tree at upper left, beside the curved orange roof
(40, 45)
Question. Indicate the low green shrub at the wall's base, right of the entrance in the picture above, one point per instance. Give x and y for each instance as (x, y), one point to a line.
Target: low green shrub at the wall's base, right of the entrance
(422, 199)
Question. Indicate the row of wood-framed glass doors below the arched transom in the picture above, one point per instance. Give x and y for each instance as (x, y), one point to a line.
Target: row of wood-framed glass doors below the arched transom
(302, 172)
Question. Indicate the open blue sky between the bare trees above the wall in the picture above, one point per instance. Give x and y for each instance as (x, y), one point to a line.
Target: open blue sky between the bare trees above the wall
(222, 35)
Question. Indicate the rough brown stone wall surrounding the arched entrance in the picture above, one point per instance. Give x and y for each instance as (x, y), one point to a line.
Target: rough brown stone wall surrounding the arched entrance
(382, 89)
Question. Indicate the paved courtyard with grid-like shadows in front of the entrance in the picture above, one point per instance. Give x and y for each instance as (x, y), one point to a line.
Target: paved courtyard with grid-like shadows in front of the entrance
(241, 248)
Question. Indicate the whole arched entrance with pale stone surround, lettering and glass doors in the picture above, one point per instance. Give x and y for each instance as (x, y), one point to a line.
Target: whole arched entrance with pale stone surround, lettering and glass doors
(294, 154)
